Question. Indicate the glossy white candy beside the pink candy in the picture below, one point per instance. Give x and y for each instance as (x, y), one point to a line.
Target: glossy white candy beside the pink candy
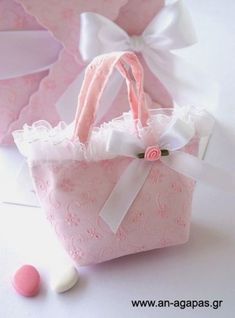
(64, 280)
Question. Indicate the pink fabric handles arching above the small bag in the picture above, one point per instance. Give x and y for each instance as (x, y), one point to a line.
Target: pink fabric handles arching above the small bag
(96, 77)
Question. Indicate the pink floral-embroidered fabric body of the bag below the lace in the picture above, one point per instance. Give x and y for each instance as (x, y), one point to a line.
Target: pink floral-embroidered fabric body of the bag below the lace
(158, 217)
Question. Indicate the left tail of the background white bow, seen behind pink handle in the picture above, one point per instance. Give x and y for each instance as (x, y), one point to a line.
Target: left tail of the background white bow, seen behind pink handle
(67, 103)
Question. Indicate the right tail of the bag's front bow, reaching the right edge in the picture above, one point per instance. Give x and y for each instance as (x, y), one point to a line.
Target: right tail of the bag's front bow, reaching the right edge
(199, 170)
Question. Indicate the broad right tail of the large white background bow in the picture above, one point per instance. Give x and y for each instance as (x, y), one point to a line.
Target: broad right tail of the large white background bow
(186, 84)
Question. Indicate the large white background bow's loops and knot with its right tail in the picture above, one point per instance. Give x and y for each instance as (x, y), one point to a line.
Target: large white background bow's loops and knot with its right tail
(171, 29)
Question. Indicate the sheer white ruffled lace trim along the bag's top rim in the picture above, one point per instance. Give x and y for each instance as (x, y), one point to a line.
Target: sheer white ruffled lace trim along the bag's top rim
(43, 142)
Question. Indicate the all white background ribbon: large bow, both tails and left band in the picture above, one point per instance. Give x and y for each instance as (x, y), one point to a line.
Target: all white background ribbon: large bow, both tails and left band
(26, 52)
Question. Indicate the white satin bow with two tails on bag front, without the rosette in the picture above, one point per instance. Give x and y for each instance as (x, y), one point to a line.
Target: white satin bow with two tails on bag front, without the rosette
(177, 135)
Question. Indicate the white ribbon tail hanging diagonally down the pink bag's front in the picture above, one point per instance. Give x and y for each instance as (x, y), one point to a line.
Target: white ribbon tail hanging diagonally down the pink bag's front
(124, 193)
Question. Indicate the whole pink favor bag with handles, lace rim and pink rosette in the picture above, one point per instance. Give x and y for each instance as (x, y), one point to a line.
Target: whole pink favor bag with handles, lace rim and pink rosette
(112, 190)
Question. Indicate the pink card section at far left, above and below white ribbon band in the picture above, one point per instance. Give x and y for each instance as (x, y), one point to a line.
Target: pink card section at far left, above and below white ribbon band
(15, 93)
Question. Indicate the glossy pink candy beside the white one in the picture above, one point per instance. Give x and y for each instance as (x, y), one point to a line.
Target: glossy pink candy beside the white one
(26, 281)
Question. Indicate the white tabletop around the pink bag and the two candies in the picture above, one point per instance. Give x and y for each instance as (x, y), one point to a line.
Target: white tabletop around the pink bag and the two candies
(204, 268)
